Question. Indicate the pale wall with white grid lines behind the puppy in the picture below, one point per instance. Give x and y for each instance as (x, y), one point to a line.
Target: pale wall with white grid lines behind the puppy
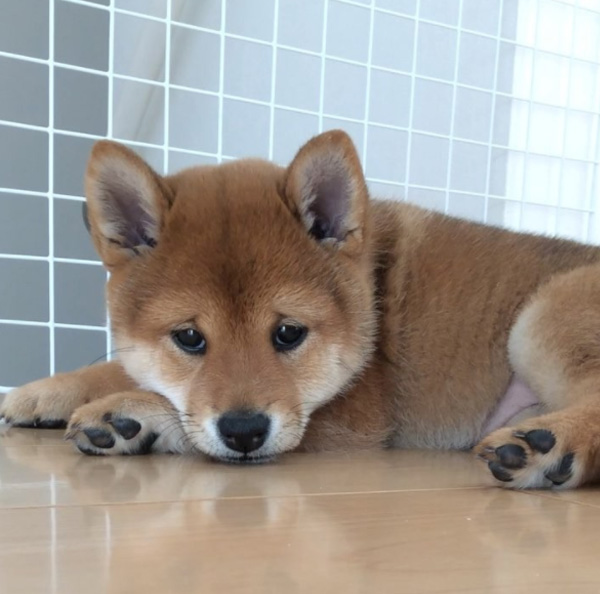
(486, 109)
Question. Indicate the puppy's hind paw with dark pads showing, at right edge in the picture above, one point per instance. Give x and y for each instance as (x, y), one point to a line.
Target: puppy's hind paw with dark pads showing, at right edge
(550, 452)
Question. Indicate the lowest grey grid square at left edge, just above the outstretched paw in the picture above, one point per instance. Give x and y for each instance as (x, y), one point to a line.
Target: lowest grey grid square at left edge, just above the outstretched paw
(25, 354)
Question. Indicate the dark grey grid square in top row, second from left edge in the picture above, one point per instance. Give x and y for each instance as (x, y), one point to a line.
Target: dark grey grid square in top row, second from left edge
(81, 35)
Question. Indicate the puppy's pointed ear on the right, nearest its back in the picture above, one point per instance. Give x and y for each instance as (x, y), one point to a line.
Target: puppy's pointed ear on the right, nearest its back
(326, 186)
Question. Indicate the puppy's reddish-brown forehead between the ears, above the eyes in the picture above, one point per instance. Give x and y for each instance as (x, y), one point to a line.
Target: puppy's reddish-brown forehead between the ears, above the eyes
(230, 233)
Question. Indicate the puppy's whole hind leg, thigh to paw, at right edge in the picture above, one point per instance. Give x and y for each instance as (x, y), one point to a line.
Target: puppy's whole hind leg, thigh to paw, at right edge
(555, 347)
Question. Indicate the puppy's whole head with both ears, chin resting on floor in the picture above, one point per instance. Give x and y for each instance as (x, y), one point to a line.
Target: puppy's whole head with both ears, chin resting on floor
(243, 292)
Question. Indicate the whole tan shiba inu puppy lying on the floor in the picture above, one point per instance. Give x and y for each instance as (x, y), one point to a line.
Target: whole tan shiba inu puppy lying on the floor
(258, 309)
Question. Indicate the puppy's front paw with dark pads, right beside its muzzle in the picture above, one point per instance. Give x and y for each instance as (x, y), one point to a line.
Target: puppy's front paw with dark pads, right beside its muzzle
(128, 423)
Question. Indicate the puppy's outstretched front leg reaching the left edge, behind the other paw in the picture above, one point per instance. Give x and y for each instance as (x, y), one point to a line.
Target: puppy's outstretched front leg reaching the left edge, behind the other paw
(50, 402)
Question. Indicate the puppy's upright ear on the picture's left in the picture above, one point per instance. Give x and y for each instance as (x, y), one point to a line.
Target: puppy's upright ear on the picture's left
(127, 202)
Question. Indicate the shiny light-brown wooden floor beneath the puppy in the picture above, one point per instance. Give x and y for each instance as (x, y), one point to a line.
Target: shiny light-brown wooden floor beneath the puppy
(384, 522)
